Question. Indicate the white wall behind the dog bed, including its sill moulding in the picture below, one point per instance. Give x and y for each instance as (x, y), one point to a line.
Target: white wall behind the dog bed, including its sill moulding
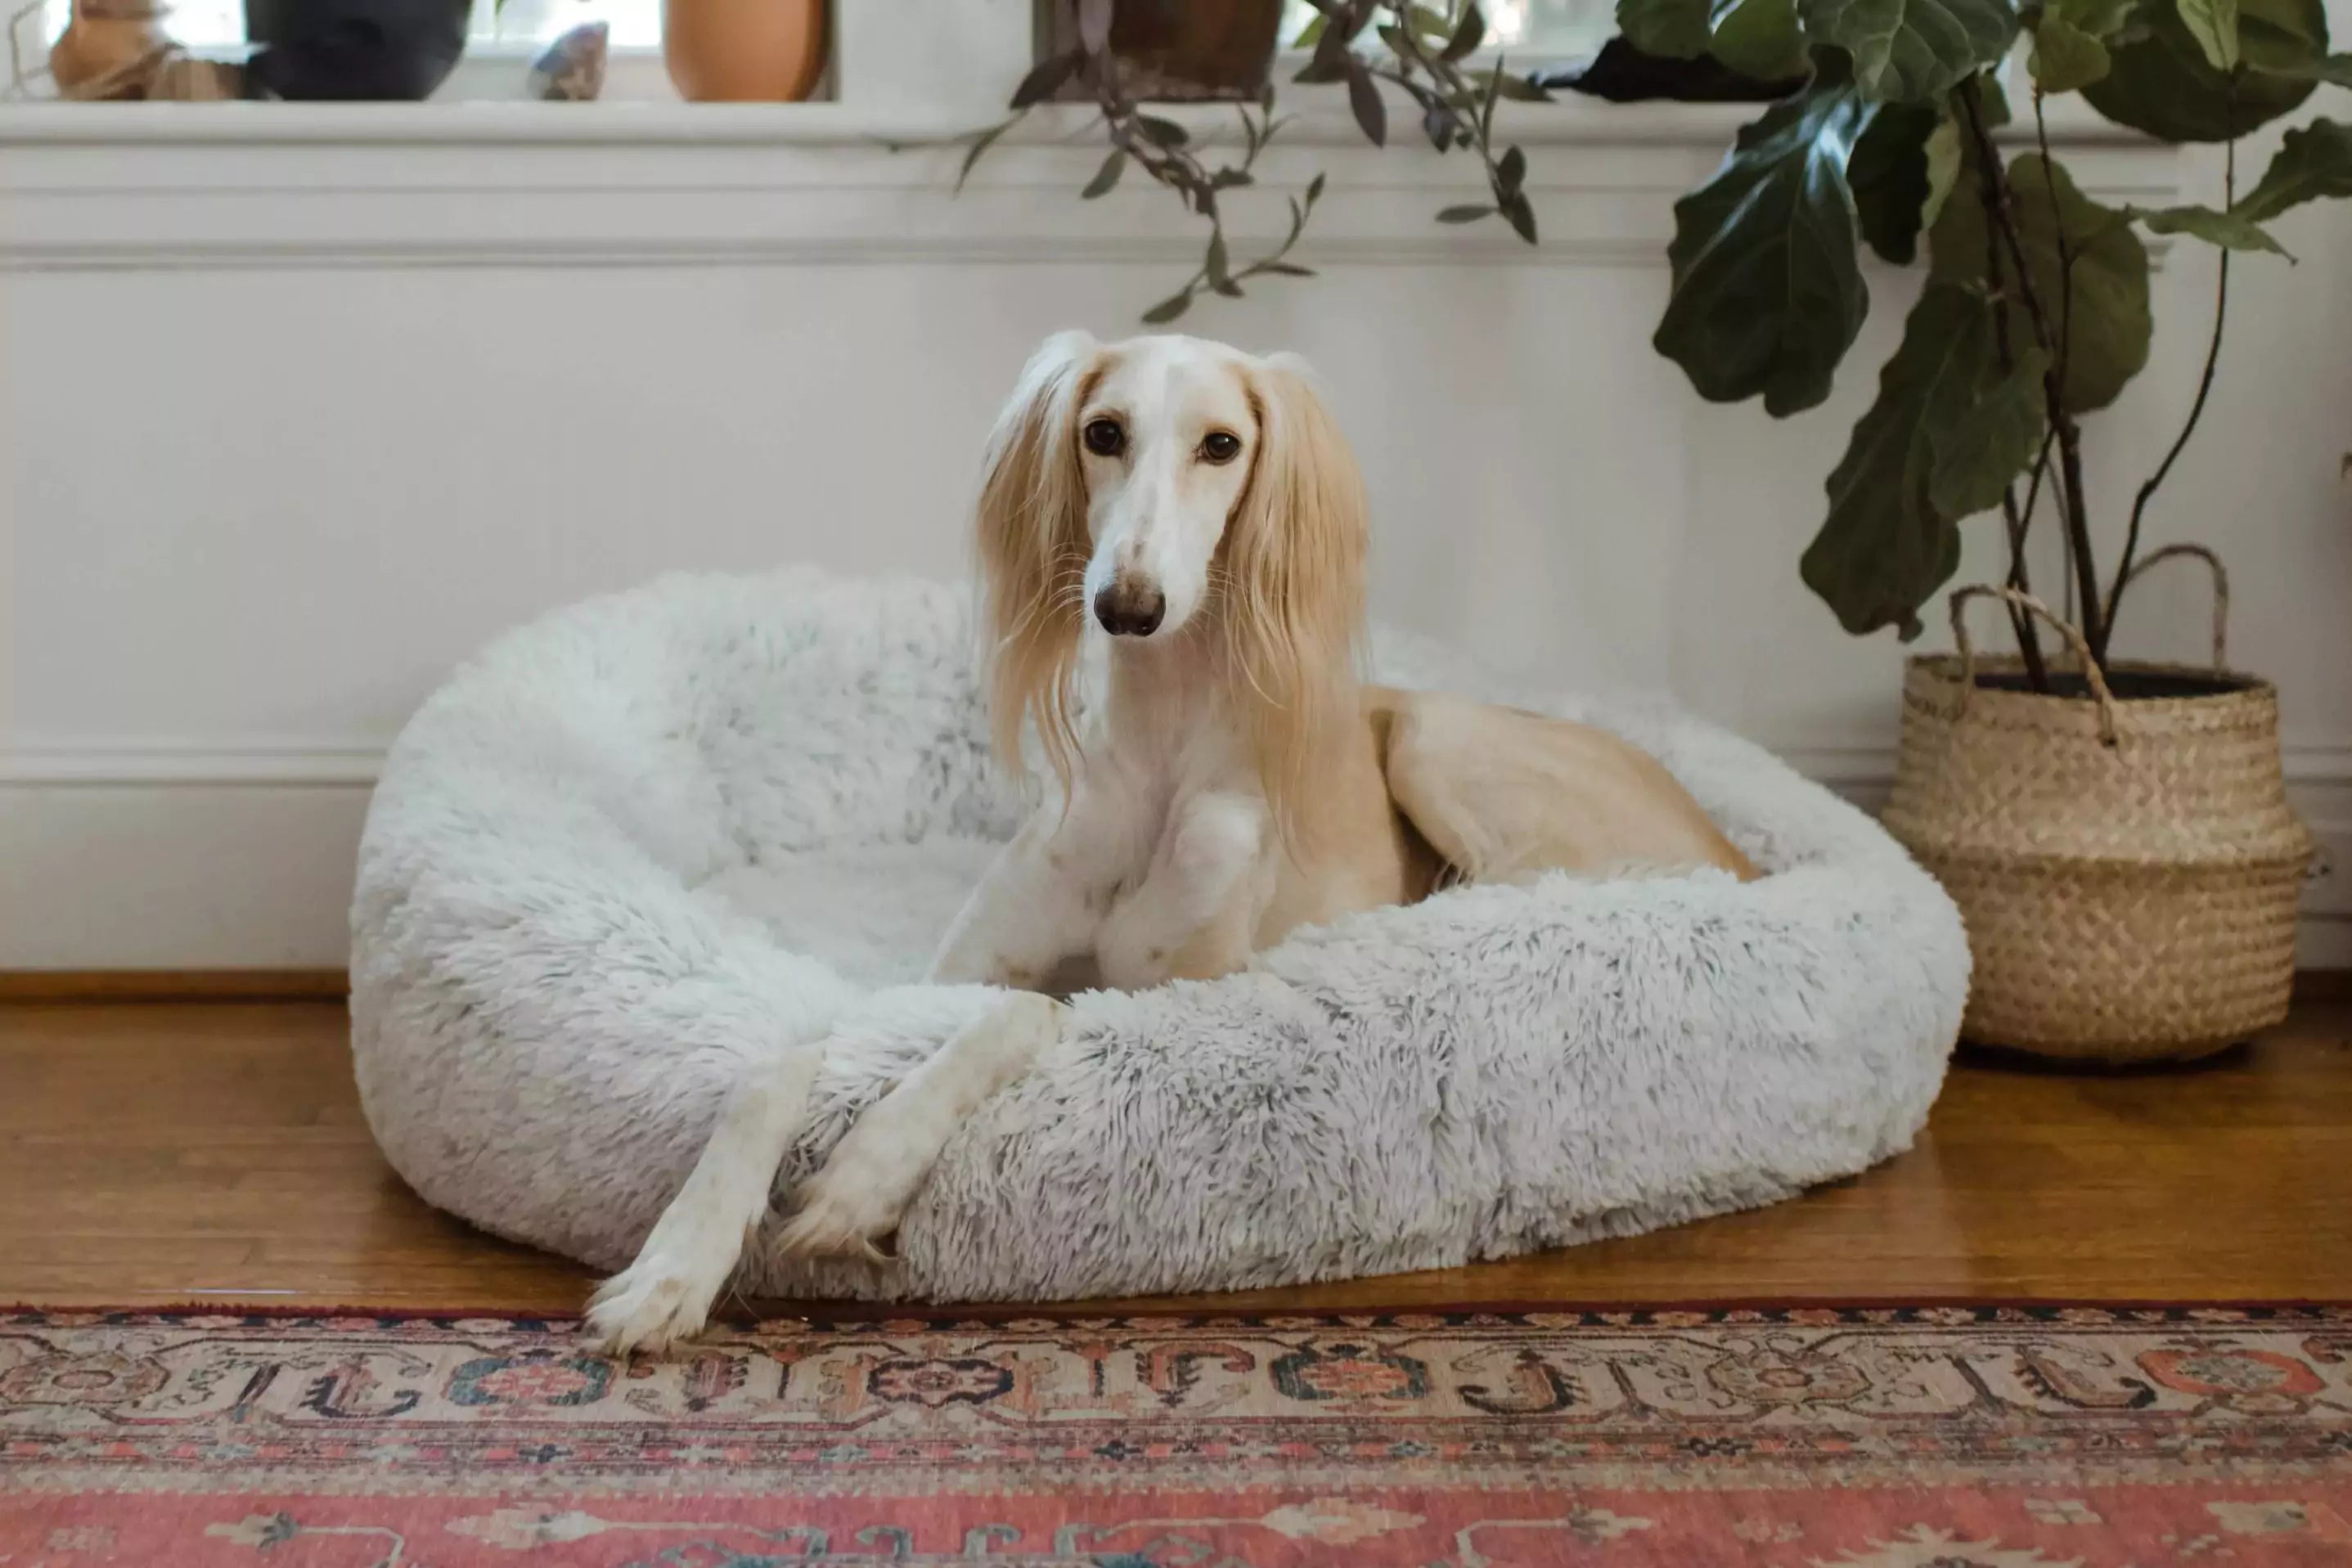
(302, 410)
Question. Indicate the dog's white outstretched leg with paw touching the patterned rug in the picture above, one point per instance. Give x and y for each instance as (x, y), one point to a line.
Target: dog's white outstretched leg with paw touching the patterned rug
(667, 1294)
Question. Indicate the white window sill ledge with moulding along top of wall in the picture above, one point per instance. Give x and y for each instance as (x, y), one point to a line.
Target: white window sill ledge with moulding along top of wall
(702, 185)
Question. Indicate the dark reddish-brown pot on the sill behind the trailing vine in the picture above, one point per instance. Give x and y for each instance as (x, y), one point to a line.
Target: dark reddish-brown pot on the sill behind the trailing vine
(1177, 51)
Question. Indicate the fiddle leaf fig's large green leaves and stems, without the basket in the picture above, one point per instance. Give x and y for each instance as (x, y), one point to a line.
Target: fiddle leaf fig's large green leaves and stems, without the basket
(2036, 307)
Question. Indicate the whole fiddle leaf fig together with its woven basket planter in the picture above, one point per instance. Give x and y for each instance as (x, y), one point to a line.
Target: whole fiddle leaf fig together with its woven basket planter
(2116, 833)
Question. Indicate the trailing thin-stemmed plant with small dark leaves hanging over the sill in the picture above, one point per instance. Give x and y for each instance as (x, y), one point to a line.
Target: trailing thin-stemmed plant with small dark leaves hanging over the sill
(1429, 55)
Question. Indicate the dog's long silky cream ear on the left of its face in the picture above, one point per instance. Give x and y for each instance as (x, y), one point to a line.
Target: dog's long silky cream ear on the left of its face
(1034, 554)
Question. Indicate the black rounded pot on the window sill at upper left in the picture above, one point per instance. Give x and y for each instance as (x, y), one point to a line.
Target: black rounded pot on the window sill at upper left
(352, 51)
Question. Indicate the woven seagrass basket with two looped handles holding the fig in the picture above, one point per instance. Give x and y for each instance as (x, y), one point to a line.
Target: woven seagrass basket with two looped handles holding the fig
(2127, 864)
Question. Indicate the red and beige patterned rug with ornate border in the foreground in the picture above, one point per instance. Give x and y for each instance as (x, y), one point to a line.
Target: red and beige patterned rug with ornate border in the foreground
(1939, 1438)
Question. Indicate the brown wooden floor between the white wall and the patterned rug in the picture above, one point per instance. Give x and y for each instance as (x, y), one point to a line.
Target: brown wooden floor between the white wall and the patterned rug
(166, 1153)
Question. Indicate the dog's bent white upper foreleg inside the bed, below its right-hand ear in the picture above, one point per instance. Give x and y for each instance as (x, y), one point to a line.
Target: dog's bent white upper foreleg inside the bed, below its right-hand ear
(1198, 911)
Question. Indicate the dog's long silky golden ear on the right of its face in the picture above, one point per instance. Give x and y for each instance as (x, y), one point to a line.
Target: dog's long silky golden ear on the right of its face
(1295, 570)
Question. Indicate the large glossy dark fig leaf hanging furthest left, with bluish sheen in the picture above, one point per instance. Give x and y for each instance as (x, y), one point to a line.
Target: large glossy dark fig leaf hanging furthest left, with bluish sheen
(1768, 293)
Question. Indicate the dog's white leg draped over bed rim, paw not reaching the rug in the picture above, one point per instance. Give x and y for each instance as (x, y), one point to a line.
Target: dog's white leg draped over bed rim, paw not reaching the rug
(874, 1172)
